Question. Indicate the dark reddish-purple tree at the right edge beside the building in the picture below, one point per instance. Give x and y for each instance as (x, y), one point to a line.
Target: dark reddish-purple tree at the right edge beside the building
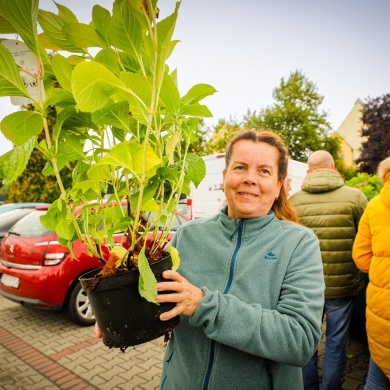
(376, 127)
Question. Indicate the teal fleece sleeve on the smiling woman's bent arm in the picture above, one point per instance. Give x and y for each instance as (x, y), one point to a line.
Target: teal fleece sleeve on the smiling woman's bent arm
(288, 334)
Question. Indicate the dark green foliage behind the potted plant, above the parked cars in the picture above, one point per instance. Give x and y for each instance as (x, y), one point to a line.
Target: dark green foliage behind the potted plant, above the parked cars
(32, 185)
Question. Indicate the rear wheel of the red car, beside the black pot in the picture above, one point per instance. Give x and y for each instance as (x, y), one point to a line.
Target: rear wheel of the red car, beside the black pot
(78, 308)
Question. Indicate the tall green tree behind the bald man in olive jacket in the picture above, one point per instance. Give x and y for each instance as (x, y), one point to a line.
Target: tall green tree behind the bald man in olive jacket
(296, 117)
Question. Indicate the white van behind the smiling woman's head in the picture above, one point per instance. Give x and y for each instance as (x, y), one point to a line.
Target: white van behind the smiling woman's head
(208, 198)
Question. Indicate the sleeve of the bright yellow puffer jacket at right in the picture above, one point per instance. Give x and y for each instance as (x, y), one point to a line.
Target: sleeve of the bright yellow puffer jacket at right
(362, 246)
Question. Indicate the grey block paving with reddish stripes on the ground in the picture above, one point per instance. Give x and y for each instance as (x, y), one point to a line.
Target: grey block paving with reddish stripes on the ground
(42, 350)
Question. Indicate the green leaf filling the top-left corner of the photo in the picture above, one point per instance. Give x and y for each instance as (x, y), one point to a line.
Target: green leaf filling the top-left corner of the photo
(23, 16)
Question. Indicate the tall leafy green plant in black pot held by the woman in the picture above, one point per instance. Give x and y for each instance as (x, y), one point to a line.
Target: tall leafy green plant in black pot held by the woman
(122, 127)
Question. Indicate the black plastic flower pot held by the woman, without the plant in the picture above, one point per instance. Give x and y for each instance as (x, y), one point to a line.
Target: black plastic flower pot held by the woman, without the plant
(125, 318)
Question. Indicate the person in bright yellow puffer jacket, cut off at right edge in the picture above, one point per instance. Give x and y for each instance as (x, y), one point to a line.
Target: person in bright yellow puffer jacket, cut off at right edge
(371, 253)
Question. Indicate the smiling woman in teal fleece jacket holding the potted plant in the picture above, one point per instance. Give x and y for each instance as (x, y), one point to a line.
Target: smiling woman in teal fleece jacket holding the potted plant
(250, 285)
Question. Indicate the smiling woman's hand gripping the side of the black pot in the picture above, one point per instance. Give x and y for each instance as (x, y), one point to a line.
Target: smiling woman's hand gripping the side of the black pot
(182, 292)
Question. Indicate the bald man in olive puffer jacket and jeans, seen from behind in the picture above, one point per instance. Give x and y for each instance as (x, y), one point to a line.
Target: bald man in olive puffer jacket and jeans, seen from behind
(332, 210)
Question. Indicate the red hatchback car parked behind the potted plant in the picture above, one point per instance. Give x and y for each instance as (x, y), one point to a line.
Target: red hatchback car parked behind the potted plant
(35, 269)
